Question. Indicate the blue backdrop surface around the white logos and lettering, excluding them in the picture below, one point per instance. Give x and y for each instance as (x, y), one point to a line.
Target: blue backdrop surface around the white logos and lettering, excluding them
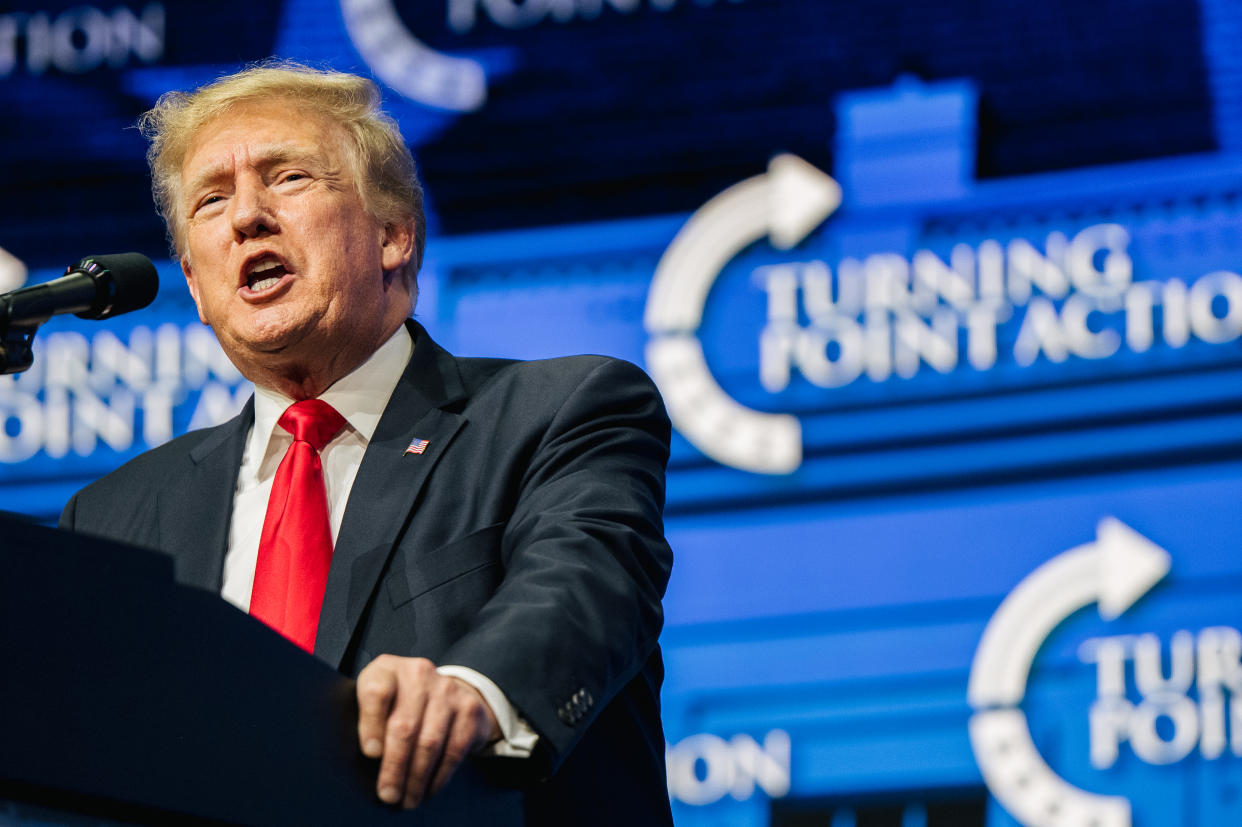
(841, 604)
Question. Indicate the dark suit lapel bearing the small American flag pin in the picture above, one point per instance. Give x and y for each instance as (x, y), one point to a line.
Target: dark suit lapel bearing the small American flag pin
(387, 489)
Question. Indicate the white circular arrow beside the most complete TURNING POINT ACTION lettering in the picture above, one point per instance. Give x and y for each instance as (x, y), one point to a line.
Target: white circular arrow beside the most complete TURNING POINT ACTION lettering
(786, 204)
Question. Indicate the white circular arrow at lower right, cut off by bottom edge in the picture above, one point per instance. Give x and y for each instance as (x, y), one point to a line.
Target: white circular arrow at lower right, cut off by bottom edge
(1115, 572)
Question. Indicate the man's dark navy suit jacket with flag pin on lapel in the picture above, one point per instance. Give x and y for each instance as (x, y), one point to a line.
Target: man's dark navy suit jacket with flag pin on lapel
(526, 543)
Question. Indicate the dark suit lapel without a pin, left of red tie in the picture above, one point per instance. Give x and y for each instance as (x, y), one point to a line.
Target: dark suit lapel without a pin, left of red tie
(196, 508)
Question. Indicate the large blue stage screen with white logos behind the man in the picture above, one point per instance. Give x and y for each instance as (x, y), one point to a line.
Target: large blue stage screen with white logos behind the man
(946, 304)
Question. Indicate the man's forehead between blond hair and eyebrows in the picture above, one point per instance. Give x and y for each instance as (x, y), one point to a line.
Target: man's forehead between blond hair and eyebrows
(255, 133)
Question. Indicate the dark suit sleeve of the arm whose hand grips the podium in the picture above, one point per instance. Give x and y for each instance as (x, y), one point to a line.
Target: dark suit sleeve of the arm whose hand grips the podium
(578, 613)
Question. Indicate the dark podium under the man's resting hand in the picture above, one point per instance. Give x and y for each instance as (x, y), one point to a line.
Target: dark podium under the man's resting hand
(130, 698)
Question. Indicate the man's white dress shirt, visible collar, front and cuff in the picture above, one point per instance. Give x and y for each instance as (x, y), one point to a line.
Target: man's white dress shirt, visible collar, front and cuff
(361, 398)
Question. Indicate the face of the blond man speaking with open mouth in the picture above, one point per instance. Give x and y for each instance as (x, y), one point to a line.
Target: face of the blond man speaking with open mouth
(281, 258)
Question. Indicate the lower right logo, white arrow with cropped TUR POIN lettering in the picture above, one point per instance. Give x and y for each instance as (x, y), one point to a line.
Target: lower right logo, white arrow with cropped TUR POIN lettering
(1115, 572)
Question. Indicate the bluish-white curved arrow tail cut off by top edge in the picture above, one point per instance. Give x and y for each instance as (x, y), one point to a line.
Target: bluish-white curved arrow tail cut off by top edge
(407, 64)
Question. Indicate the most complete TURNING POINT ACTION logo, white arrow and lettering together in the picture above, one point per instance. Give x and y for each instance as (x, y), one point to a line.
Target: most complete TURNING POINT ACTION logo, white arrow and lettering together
(894, 315)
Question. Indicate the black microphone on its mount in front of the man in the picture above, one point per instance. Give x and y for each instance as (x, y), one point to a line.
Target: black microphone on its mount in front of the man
(97, 287)
